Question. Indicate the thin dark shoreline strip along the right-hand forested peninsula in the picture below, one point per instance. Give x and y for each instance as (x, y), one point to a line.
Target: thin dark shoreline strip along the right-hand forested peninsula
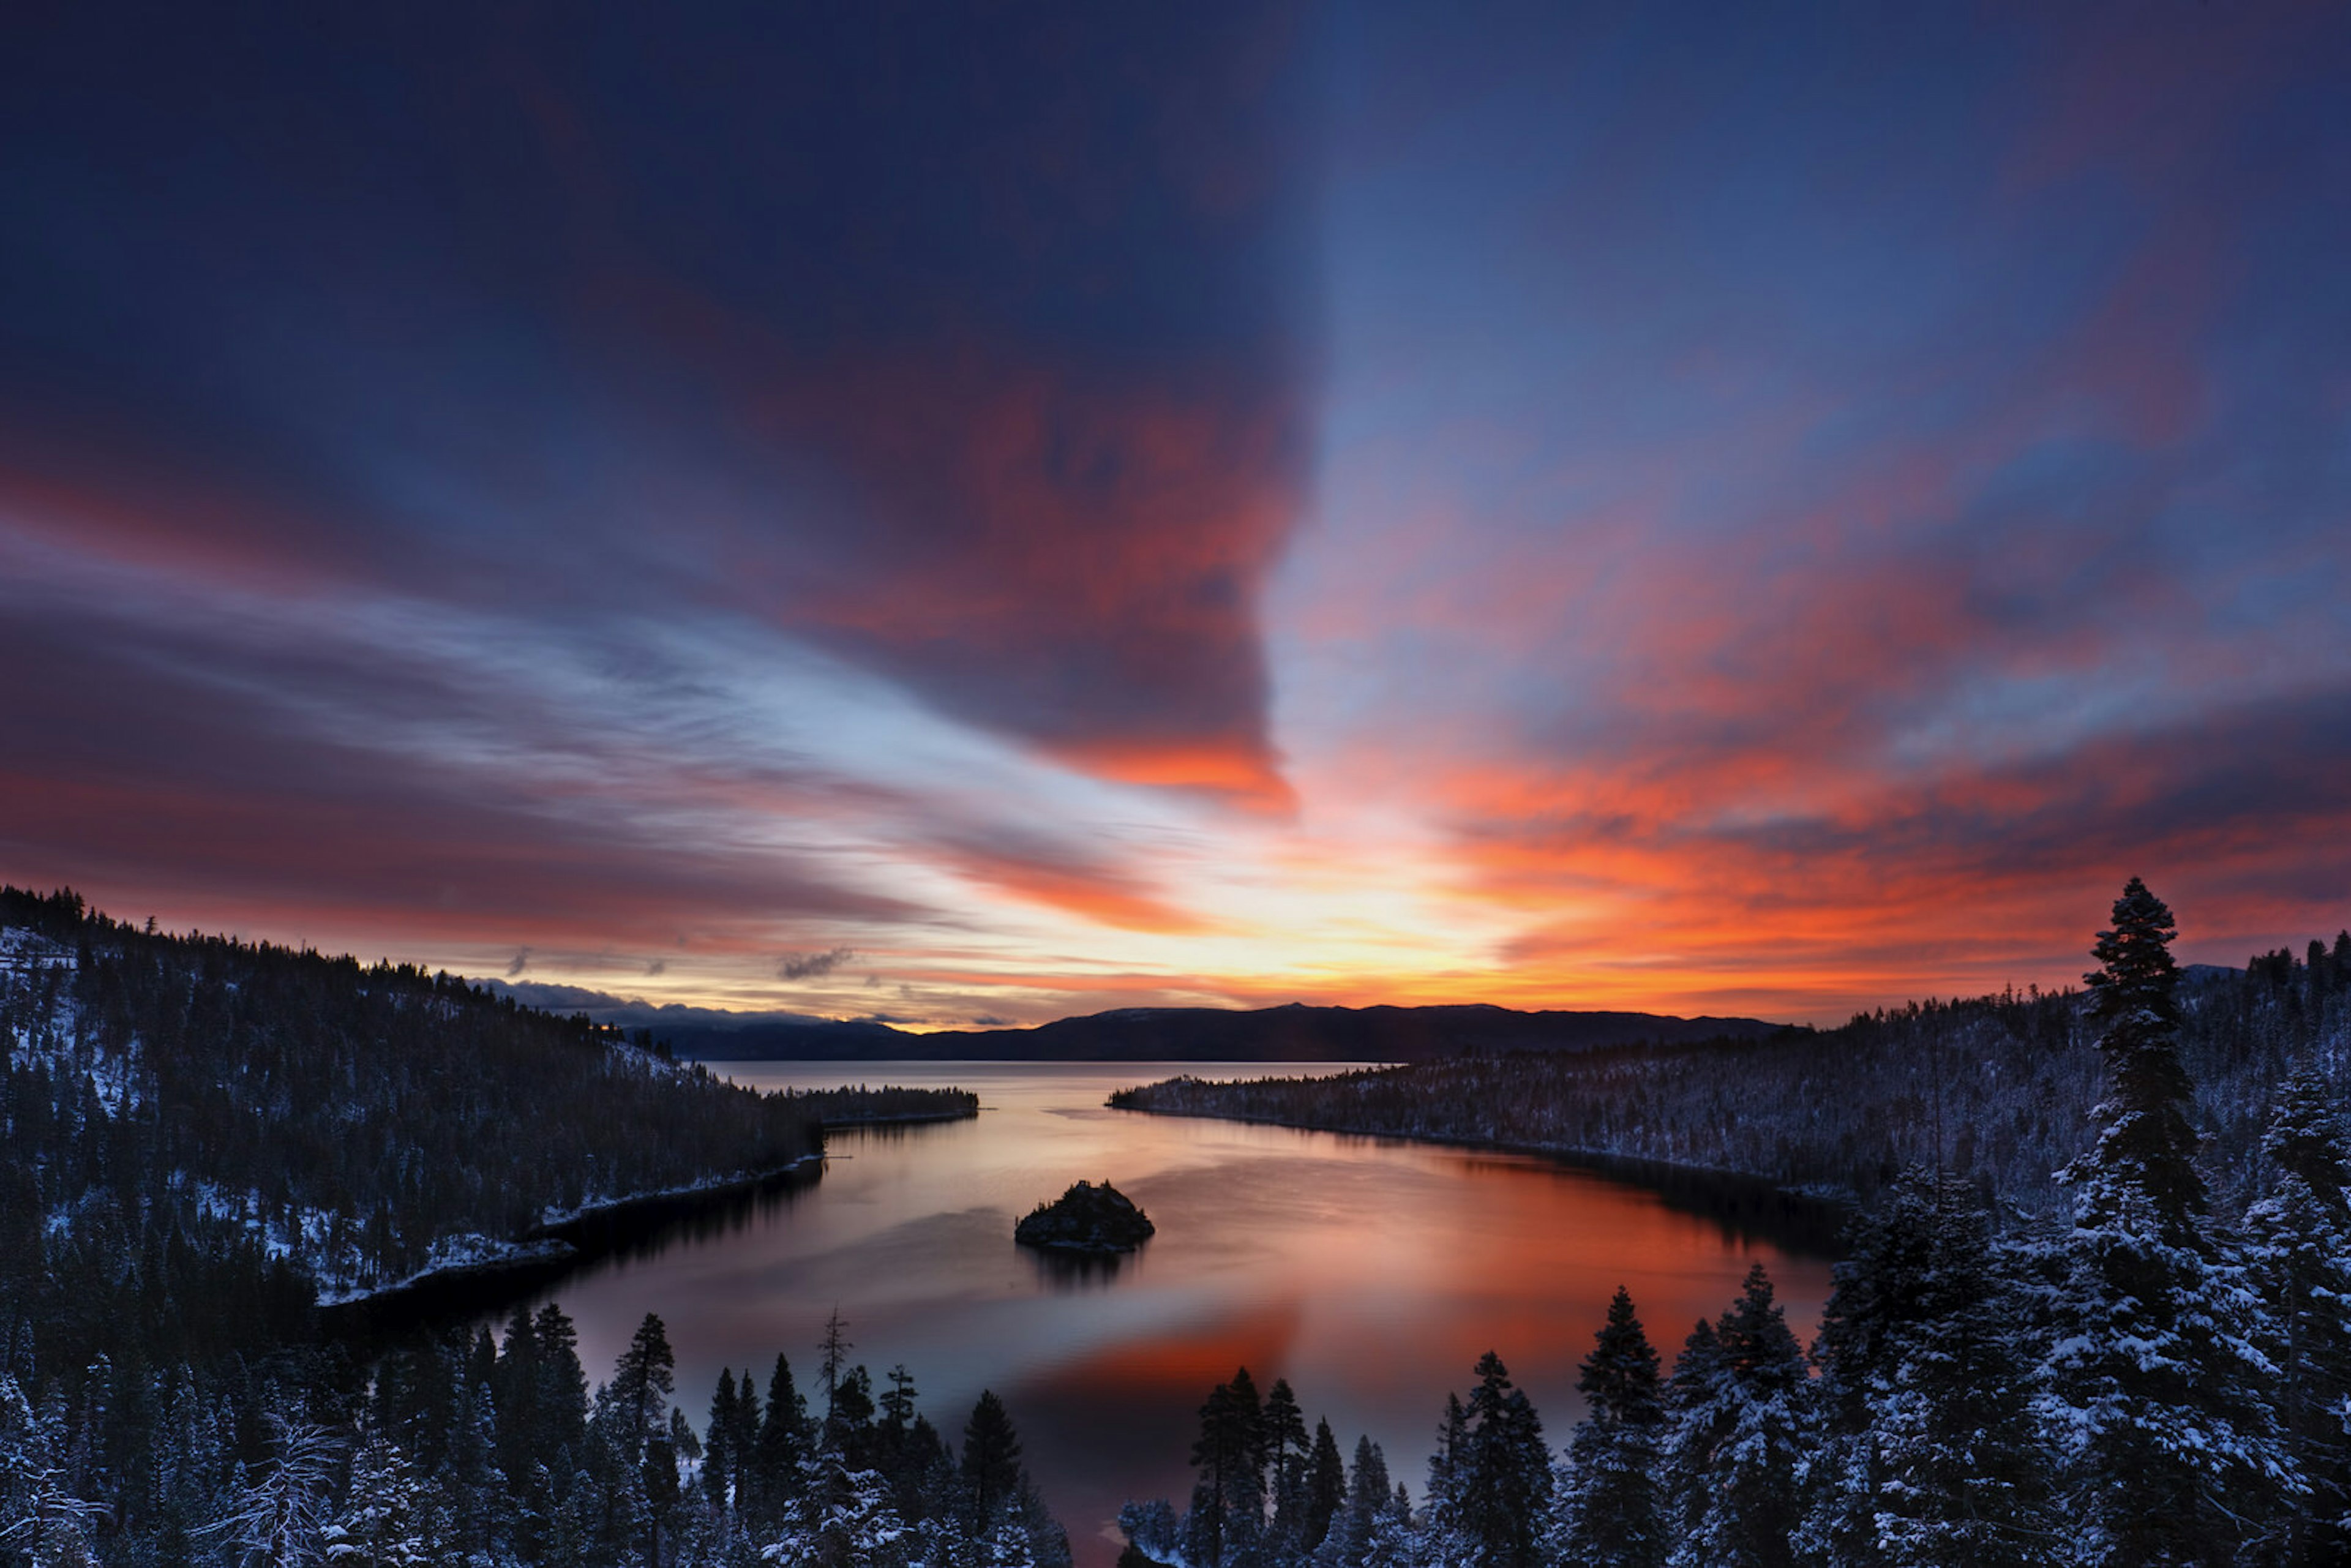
(1736, 1200)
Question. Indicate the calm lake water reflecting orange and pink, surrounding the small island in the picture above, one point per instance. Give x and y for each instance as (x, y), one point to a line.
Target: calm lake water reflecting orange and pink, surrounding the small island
(1367, 1273)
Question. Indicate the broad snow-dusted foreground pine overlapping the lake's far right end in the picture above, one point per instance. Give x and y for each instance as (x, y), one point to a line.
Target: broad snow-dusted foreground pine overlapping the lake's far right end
(1739, 1438)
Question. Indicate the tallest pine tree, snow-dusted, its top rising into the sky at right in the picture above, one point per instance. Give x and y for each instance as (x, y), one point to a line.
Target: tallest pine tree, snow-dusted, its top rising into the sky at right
(2157, 1379)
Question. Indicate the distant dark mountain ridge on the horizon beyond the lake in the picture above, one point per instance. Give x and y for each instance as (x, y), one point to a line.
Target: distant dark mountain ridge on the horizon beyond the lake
(1205, 1036)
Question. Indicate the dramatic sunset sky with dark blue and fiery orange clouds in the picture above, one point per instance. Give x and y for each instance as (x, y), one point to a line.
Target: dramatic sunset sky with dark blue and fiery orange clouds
(967, 518)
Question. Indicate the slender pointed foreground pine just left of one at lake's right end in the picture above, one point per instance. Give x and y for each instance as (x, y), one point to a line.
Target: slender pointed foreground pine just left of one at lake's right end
(1612, 1510)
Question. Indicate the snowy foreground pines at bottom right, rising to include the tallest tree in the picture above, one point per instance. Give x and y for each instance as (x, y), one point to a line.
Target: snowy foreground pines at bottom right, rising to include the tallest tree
(2134, 1383)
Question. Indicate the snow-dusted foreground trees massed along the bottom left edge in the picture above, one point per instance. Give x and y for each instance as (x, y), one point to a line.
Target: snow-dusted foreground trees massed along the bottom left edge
(490, 1452)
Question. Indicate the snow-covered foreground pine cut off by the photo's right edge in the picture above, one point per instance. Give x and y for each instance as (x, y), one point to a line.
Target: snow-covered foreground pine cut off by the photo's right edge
(2300, 1240)
